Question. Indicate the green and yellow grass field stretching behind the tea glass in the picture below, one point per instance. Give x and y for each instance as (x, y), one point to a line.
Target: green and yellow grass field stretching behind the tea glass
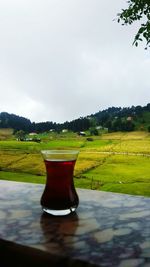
(116, 162)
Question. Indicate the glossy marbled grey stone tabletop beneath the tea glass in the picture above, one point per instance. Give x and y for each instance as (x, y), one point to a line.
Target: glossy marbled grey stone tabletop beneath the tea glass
(108, 229)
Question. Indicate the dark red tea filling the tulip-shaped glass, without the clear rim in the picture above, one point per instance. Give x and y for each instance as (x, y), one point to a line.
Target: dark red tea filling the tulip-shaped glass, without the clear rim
(59, 193)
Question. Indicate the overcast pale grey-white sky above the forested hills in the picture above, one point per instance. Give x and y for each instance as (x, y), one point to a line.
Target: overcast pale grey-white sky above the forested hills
(62, 59)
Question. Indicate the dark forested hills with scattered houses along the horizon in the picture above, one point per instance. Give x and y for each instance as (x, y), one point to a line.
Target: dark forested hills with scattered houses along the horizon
(113, 119)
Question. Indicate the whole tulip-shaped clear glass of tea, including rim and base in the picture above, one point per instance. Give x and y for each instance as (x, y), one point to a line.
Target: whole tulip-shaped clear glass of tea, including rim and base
(59, 196)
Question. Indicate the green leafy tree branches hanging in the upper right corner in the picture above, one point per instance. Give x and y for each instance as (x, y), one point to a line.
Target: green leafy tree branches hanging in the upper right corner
(138, 10)
